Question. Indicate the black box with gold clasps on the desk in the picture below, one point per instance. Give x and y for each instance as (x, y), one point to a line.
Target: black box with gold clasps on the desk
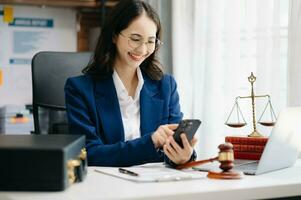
(41, 162)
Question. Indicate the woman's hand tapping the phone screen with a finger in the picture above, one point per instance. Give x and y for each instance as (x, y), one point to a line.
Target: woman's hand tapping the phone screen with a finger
(160, 136)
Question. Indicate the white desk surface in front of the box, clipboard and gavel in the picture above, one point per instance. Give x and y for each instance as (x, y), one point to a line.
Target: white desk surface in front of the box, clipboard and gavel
(282, 183)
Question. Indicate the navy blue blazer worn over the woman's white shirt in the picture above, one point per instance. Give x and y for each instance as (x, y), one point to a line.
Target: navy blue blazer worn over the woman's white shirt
(93, 110)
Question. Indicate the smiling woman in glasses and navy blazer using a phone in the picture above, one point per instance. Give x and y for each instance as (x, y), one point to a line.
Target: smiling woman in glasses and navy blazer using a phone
(124, 104)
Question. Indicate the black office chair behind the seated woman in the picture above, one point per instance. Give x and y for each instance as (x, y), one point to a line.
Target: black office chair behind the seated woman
(49, 73)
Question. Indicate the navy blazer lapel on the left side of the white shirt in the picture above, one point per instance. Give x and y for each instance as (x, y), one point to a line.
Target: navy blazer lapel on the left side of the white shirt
(108, 108)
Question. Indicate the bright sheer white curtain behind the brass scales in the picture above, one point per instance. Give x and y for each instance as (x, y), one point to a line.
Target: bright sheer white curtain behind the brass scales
(216, 46)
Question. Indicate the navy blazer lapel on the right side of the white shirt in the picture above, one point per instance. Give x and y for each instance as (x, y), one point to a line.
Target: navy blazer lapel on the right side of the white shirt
(151, 107)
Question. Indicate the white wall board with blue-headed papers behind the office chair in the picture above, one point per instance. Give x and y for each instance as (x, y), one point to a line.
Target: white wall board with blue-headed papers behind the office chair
(24, 31)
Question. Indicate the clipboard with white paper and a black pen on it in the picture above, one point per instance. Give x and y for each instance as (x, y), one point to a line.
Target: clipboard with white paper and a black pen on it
(152, 172)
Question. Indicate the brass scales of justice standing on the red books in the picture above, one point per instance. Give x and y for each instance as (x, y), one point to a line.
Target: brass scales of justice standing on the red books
(240, 118)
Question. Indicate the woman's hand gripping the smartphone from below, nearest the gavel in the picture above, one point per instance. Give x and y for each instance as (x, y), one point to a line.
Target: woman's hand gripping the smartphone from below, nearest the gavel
(176, 153)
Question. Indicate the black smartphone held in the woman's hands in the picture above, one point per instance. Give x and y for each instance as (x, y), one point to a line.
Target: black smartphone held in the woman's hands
(187, 126)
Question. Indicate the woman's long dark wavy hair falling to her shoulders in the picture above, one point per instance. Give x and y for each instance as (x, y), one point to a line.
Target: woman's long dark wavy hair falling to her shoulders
(101, 64)
